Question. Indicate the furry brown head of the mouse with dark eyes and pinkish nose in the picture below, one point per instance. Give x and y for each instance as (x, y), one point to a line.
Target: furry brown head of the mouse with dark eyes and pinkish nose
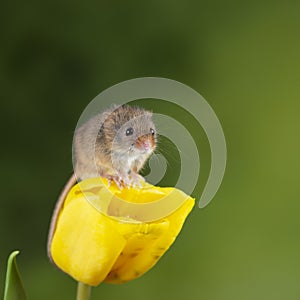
(131, 131)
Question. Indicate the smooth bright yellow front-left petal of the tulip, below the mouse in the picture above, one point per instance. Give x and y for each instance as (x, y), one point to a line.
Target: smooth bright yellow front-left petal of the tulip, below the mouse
(79, 246)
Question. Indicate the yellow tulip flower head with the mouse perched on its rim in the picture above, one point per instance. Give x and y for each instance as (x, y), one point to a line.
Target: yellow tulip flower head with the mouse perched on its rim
(121, 242)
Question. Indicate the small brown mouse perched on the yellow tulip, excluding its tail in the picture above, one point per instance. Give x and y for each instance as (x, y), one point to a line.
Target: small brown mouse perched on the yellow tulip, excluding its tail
(115, 144)
